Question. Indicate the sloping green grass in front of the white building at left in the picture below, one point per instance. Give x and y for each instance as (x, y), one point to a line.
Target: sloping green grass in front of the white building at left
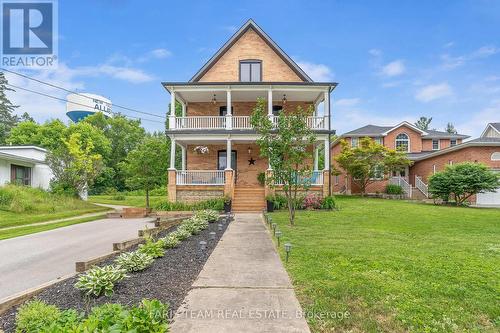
(21, 205)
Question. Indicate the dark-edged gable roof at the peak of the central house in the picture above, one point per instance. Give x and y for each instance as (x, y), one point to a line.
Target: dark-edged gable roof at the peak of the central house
(250, 24)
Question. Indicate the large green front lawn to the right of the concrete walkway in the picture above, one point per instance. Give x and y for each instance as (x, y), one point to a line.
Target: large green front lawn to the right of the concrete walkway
(396, 266)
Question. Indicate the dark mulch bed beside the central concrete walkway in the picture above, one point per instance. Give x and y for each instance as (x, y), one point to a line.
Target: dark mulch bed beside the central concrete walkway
(168, 279)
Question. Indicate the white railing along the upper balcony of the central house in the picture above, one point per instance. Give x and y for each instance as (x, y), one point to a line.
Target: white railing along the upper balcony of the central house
(237, 122)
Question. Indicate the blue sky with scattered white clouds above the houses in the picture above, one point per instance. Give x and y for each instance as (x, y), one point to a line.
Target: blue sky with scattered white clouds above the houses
(394, 60)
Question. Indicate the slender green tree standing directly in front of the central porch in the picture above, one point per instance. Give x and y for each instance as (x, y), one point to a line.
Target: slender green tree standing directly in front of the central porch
(285, 144)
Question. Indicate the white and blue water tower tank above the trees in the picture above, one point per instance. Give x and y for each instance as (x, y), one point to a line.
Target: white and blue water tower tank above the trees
(79, 106)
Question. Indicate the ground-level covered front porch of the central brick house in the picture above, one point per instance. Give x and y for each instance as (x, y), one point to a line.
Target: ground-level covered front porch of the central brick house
(215, 165)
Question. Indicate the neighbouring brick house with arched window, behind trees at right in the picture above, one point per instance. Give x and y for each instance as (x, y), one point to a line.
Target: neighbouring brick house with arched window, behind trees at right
(430, 152)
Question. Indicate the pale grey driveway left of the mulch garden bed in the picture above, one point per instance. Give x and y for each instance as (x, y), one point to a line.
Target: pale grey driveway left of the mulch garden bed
(31, 260)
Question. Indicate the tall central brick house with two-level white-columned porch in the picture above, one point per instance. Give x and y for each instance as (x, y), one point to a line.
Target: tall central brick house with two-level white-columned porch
(219, 153)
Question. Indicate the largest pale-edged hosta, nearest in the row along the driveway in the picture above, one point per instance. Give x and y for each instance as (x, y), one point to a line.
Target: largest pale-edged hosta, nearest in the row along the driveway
(100, 280)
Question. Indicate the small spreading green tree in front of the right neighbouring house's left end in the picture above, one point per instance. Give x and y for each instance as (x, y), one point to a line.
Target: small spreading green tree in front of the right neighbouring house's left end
(369, 161)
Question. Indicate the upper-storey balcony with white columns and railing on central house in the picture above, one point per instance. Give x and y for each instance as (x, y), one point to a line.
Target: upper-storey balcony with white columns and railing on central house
(228, 106)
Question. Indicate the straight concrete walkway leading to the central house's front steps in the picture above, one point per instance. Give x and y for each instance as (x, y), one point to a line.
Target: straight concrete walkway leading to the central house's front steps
(243, 287)
